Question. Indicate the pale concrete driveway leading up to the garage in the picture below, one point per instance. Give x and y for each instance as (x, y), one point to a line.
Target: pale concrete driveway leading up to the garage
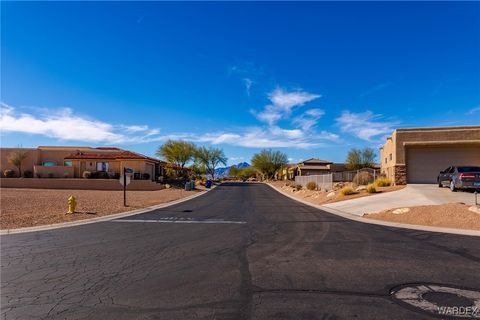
(411, 195)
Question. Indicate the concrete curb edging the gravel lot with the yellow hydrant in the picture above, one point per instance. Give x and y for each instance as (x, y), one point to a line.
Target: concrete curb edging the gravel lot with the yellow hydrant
(101, 219)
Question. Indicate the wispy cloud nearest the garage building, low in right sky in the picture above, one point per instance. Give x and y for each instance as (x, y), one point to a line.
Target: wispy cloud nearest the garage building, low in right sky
(365, 125)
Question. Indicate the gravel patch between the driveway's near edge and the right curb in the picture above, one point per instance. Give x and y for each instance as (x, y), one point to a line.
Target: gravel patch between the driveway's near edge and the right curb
(451, 215)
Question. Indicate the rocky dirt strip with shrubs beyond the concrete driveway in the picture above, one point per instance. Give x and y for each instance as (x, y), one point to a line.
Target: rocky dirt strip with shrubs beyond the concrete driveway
(321, 197)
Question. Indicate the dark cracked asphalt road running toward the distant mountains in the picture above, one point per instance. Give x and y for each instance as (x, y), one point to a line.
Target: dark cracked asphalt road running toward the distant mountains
(286, 261)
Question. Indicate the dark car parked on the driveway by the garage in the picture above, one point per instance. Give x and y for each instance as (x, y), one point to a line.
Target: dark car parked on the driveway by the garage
(462, 177)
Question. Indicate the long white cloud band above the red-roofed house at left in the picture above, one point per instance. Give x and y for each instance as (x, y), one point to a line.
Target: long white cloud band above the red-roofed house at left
(64, 124)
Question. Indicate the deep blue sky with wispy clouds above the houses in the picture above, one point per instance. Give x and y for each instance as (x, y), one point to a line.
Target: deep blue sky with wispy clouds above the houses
(312, 79)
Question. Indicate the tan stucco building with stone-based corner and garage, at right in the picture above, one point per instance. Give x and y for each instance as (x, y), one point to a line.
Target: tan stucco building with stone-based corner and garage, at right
(417, 155)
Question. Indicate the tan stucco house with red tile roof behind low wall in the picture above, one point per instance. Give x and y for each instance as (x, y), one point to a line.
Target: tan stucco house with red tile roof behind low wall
(72, 162)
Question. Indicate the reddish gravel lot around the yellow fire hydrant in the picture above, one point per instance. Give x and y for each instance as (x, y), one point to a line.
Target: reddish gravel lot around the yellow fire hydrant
(33, 207)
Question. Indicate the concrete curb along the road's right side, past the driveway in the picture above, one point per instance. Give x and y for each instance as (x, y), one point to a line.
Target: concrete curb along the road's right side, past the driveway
(349, 216)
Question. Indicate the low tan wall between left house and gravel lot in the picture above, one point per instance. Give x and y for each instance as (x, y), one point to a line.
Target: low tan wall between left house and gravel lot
(78, 184)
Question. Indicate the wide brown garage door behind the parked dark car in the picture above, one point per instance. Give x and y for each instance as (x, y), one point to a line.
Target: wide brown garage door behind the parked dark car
(424, 163)
